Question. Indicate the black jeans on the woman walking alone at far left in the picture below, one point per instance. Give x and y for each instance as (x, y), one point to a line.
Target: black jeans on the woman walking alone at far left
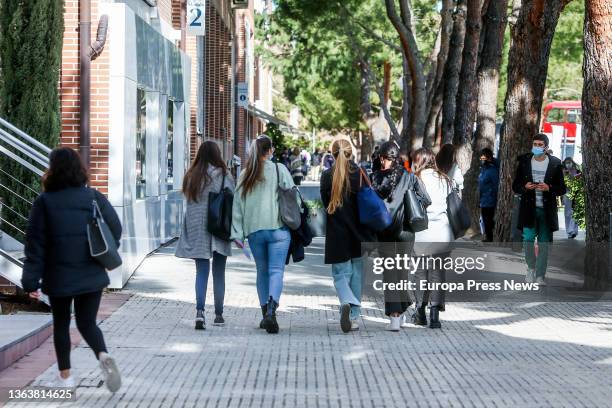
(85, 311)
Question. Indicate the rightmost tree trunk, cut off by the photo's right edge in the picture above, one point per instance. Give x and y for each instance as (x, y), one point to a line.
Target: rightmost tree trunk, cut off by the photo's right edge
(597, 137)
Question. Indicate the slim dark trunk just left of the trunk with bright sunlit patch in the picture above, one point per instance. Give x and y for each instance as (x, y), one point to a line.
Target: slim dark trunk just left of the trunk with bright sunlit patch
(451, 72)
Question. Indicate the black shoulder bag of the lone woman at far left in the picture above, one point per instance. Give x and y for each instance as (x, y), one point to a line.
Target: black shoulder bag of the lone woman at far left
(102, 245)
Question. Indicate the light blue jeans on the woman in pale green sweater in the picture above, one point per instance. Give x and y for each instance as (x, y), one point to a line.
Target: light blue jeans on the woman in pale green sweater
(270, 248)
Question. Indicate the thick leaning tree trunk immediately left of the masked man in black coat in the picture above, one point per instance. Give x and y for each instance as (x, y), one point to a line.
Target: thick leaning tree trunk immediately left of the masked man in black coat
(527, 69)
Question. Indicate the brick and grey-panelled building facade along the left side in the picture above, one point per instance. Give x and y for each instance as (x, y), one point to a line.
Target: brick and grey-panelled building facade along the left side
(158, 92)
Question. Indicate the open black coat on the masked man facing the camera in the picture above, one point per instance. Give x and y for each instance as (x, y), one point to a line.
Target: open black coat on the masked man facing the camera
(553, 177)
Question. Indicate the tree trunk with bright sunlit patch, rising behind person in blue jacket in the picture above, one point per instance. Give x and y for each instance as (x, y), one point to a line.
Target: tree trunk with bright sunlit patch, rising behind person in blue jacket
(492, 37)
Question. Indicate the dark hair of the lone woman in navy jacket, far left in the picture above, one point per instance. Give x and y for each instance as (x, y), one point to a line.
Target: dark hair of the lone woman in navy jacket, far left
(65, 170)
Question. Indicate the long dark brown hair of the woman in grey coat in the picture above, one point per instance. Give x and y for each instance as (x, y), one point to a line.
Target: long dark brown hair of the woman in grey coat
(197, 176)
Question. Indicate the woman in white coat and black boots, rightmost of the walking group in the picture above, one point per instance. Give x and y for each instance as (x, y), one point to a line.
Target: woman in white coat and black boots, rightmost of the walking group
(435, 239)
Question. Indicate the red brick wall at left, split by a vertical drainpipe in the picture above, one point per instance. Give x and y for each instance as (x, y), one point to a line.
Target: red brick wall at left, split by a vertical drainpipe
(69, 94)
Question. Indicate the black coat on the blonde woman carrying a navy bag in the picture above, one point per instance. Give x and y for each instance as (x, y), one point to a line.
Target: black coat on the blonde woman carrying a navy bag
(344, 234)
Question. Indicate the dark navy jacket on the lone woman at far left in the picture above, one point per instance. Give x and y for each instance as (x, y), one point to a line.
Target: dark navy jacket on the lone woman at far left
(57, 250)
